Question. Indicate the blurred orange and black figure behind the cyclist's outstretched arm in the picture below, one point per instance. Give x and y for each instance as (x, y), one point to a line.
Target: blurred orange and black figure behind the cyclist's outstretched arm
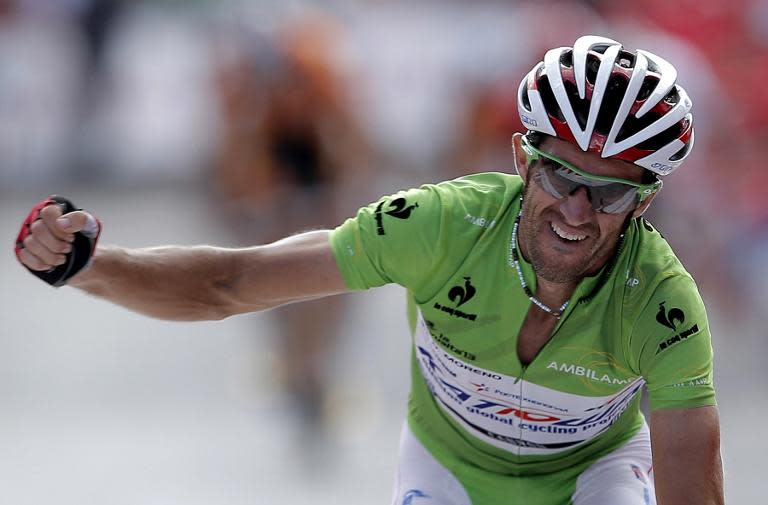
(288, 144)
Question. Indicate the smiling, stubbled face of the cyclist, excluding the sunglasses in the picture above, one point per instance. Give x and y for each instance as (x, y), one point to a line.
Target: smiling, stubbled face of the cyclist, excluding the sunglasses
(565, 239)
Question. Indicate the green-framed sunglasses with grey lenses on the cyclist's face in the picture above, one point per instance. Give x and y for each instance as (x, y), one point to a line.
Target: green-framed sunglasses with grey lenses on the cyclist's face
(609, 195)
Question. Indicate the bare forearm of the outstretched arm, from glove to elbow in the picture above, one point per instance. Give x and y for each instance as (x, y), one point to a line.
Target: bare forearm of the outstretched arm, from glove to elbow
(175, 283)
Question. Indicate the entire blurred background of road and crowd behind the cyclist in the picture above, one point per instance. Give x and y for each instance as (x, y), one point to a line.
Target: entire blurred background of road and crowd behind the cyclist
(237, 122)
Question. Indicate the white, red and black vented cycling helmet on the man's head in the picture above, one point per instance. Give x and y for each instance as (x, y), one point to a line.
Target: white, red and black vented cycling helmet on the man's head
(608, 100)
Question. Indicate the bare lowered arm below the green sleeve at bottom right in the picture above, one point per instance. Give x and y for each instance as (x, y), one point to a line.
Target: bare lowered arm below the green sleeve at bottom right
(686, 456)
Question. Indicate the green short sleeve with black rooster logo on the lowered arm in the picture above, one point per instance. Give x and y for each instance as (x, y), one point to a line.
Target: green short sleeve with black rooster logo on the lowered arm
(673, 344)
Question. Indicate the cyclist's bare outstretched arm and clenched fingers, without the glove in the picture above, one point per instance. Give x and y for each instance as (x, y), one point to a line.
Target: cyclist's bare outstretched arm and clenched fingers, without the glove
(191, 283)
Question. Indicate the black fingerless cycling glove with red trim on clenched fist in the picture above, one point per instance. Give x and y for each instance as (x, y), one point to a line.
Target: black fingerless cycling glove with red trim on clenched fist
(83, 245)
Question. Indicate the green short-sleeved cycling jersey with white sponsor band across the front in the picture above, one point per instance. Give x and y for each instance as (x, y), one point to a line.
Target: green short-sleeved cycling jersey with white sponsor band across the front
(638, 322)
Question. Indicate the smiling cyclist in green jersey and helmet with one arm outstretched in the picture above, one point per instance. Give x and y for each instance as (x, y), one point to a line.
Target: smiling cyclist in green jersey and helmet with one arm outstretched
(541, 304)
